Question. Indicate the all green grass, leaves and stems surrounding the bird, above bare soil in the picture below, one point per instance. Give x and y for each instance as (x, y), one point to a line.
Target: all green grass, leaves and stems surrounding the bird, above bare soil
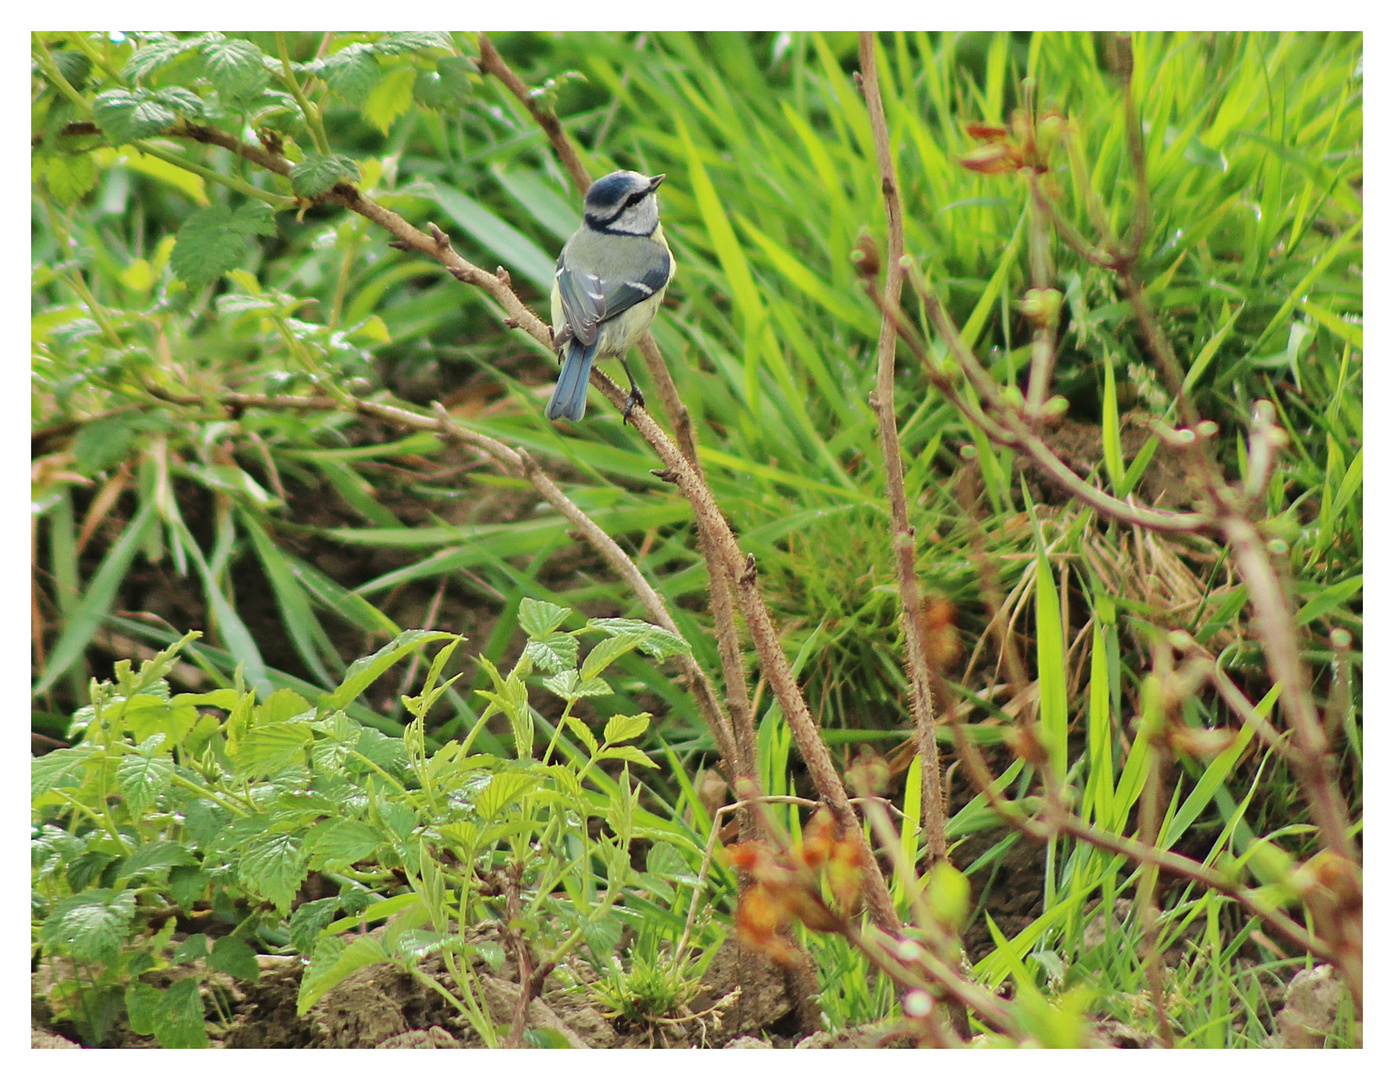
(1126, 401)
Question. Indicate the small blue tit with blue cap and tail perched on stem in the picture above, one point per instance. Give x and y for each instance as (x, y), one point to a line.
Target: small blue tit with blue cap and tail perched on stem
(611, 278)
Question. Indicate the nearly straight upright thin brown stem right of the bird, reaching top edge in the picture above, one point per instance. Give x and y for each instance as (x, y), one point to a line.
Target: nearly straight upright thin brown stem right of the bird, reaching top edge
(903, 539)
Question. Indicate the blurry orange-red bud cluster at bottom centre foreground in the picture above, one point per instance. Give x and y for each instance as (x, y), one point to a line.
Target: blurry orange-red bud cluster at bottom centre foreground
(816, 881)
